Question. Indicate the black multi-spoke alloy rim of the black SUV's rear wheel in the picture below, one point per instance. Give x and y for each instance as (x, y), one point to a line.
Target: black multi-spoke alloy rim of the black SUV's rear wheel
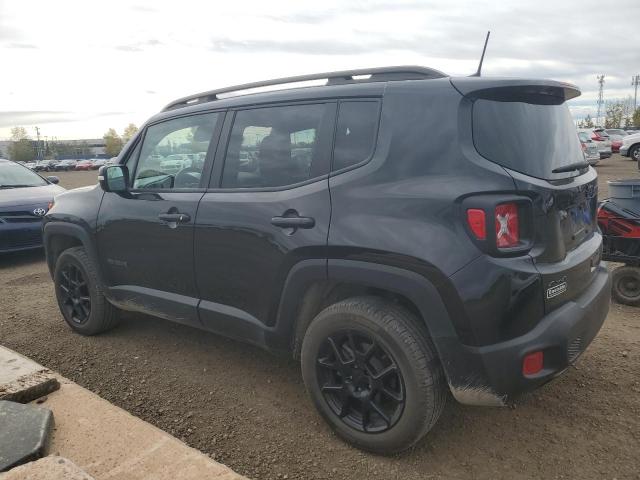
(360, 381)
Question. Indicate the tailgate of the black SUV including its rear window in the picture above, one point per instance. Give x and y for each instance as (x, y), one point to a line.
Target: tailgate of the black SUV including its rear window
(534, 138)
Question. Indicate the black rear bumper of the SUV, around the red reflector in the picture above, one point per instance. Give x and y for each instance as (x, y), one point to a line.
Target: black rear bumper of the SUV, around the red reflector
(493, 373)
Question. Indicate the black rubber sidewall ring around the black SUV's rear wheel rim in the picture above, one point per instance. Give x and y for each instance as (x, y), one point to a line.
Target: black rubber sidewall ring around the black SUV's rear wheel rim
(409, 426)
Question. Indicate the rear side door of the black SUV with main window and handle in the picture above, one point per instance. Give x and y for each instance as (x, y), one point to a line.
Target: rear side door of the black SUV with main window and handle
(268, 207)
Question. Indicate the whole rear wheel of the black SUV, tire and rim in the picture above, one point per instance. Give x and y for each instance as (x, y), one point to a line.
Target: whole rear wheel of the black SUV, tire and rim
(396, 338)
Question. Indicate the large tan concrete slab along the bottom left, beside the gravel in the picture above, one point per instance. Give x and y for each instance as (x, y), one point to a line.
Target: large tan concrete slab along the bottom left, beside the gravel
(109, 443)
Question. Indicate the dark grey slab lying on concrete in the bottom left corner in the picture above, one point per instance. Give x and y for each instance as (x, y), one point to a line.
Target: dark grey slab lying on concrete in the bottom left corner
(25, 431)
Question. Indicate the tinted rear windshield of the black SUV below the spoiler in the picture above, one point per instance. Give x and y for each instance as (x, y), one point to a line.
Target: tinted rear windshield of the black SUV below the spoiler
(528, 138)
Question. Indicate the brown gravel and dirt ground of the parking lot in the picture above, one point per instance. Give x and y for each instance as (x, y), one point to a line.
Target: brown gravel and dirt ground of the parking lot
(249, 409)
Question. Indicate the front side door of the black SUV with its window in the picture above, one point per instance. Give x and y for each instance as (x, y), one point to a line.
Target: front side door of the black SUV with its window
(145, 237)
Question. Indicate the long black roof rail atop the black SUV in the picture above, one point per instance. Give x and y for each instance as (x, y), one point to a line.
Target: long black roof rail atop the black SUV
(380, 74)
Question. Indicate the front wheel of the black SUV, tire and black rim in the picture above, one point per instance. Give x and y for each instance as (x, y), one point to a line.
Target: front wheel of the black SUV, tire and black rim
(75, 276)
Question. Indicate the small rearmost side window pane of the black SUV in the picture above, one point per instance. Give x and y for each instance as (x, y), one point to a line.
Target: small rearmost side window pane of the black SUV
(355, 133)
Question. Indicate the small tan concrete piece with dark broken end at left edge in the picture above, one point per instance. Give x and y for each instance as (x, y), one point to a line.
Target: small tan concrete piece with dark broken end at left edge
(23, 380)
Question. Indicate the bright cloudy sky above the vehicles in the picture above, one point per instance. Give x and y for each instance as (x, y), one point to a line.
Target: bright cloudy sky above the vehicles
(77, 68)
